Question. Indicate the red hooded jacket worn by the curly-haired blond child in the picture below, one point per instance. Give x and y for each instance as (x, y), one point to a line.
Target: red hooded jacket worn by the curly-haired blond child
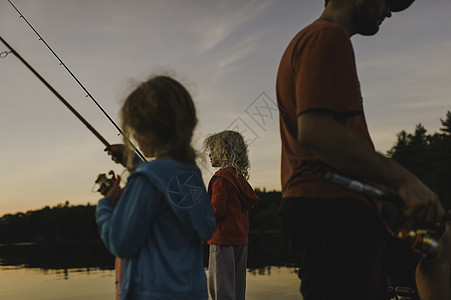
(231, 197)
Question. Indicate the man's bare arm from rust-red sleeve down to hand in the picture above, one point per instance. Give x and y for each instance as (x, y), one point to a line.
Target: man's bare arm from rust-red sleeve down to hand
(333, 143)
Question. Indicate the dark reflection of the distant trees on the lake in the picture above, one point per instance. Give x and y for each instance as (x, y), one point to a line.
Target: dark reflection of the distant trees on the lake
(265, 249)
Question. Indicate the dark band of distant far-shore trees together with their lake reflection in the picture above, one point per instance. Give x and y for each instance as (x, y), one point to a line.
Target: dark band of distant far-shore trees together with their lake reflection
(66, 236)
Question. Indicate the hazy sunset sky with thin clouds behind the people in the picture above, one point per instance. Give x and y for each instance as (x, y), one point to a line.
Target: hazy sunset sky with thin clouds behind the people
(226, 52)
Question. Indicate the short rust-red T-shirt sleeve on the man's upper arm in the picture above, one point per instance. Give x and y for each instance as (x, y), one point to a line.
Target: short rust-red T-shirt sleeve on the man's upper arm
(325, 73)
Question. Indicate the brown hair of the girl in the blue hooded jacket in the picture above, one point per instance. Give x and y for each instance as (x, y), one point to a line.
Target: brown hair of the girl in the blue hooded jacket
(160, 115)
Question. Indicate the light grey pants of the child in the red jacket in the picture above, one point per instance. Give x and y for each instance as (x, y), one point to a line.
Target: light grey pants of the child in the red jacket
(227, 272)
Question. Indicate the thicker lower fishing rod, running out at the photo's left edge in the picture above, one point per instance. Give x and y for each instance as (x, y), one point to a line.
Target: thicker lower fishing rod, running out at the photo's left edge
(3, 54)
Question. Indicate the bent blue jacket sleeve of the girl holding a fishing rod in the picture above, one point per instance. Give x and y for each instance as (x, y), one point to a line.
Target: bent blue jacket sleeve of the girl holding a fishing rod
(124, 229)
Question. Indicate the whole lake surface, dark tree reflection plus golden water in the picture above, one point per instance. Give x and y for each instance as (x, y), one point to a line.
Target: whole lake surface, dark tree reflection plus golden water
(85, 271)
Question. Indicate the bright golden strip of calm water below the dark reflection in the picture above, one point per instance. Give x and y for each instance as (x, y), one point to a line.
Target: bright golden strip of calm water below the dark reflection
(20, 283)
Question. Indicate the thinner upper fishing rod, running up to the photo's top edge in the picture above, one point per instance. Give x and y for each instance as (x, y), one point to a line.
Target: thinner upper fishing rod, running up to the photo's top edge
(88, 94)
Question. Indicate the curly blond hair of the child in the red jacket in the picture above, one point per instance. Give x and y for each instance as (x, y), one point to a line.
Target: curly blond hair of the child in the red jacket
(230, 149)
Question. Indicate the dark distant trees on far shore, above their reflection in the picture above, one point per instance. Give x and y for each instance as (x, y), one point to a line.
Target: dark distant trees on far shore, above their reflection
(67, 223)
